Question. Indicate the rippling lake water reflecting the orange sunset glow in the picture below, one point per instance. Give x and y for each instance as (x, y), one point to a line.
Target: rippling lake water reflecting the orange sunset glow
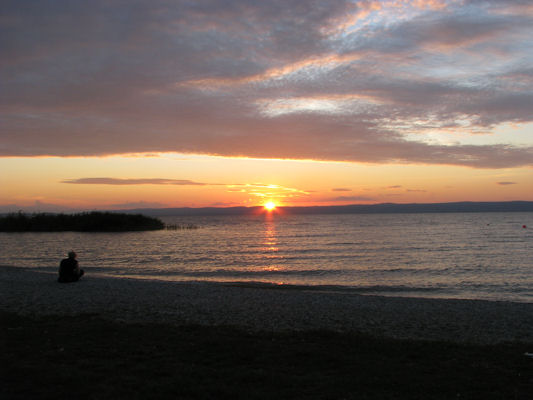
(478, 255)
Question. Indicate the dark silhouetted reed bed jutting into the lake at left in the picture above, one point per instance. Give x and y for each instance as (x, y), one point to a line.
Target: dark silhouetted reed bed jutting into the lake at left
(82, 222)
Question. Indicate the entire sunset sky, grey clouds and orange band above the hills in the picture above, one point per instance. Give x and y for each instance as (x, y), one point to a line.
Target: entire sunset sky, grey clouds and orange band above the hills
(133, 104)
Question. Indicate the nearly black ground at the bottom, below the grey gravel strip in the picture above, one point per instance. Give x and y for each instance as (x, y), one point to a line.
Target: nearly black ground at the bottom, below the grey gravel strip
(86, 357)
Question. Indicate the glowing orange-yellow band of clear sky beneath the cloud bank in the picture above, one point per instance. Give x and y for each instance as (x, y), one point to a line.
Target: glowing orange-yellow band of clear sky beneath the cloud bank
(178, 180)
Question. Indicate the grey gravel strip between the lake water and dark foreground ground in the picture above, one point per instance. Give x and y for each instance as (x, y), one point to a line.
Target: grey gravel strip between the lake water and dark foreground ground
(34, 291)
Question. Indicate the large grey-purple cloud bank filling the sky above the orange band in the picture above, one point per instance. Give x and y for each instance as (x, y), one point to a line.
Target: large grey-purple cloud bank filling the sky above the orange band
(295, 79)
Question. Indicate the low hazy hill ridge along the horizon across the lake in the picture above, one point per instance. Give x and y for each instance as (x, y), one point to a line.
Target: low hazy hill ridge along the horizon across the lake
(385, 208)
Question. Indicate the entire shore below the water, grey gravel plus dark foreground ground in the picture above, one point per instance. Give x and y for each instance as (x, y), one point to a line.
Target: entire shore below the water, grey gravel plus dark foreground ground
(110, 337)
